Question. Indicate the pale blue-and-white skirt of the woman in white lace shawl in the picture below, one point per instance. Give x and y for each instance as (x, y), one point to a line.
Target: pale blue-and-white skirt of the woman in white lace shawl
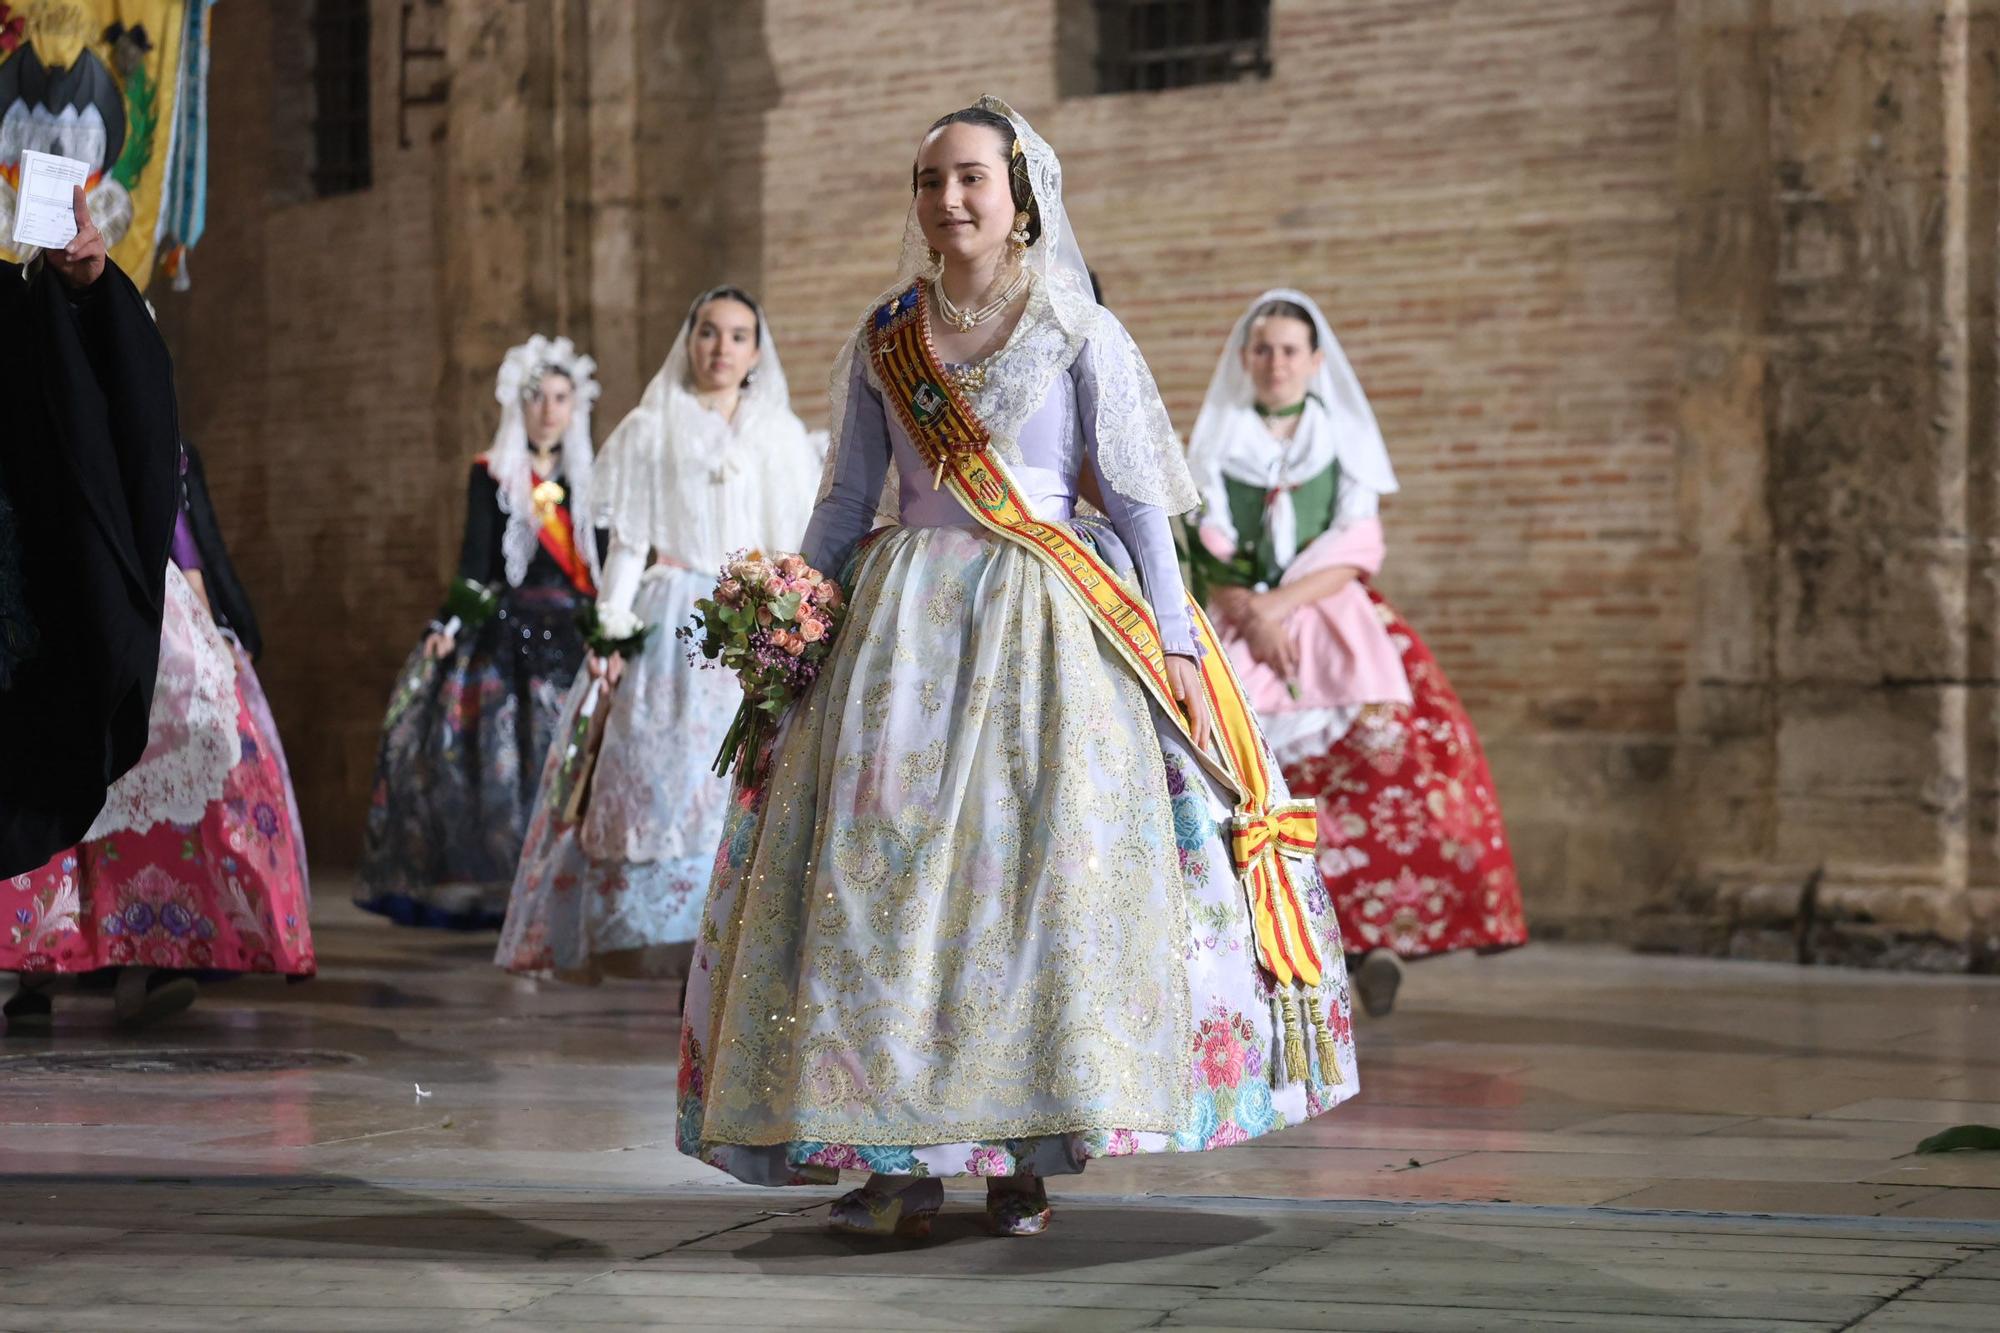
(617, 886)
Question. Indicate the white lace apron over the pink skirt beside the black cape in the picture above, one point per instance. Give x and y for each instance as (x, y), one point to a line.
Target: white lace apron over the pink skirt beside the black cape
(191, 742)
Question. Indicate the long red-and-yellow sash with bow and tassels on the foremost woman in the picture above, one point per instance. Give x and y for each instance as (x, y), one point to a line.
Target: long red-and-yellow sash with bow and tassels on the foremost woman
(1267, 836)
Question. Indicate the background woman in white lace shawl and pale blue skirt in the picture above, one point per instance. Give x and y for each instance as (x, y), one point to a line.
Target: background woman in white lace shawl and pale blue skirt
(625, 828)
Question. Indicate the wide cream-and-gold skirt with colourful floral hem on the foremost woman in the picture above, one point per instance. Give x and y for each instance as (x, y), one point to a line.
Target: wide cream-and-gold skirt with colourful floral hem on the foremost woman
(981, 916)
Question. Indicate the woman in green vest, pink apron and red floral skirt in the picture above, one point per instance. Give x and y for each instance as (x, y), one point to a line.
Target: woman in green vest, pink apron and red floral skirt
(1291, 465)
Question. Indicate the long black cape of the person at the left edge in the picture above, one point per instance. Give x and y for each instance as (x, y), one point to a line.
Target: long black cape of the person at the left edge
(89, 463)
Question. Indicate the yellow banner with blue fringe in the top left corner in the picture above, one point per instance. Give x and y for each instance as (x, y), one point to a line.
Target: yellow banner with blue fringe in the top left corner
(93, 81)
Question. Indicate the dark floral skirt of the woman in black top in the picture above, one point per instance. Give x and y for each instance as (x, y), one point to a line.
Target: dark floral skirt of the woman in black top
(463, 746)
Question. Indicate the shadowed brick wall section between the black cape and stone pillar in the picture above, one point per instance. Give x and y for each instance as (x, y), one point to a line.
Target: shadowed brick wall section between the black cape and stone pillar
(309, 357)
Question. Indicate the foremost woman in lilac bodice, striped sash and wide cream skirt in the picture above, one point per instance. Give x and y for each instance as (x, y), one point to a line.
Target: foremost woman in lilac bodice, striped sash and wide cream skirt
(979, 912)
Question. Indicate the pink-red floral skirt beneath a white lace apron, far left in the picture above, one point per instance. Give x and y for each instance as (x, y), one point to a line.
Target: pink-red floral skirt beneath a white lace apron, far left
(225, 894)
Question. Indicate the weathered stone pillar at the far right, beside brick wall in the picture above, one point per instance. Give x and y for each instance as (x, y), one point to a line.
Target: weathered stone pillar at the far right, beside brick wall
(1837, 293)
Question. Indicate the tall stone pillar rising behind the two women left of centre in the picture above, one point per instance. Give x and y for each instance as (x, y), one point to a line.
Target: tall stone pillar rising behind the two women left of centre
(585, 193)
